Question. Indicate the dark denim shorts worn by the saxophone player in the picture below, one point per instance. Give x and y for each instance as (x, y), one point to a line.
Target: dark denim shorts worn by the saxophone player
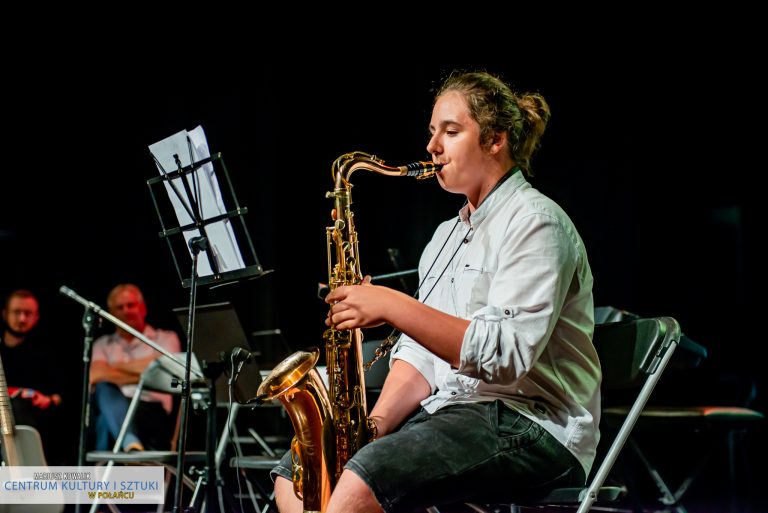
(480, 452)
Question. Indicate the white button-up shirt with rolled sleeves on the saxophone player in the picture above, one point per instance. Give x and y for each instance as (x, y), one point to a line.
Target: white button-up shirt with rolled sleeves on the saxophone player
(518, 270)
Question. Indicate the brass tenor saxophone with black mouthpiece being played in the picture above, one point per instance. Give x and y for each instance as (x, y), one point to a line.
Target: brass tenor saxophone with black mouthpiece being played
(332, 423)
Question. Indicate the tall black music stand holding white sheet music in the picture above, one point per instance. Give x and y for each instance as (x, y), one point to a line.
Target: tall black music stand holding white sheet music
(191, 181)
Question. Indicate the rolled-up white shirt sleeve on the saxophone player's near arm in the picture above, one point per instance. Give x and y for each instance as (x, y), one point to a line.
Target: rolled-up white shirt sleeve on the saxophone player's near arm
(535, 269)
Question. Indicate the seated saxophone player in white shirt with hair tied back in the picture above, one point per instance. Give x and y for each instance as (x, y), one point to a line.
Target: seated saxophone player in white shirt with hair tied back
(493, 388)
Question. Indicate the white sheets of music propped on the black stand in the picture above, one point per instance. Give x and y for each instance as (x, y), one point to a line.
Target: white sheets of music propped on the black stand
(221, 236)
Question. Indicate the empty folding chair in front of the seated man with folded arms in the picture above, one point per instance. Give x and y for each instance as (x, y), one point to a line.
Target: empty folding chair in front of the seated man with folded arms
(159, 376)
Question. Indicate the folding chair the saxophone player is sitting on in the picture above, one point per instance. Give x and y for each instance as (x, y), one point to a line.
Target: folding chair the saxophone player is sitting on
(633, 354)
